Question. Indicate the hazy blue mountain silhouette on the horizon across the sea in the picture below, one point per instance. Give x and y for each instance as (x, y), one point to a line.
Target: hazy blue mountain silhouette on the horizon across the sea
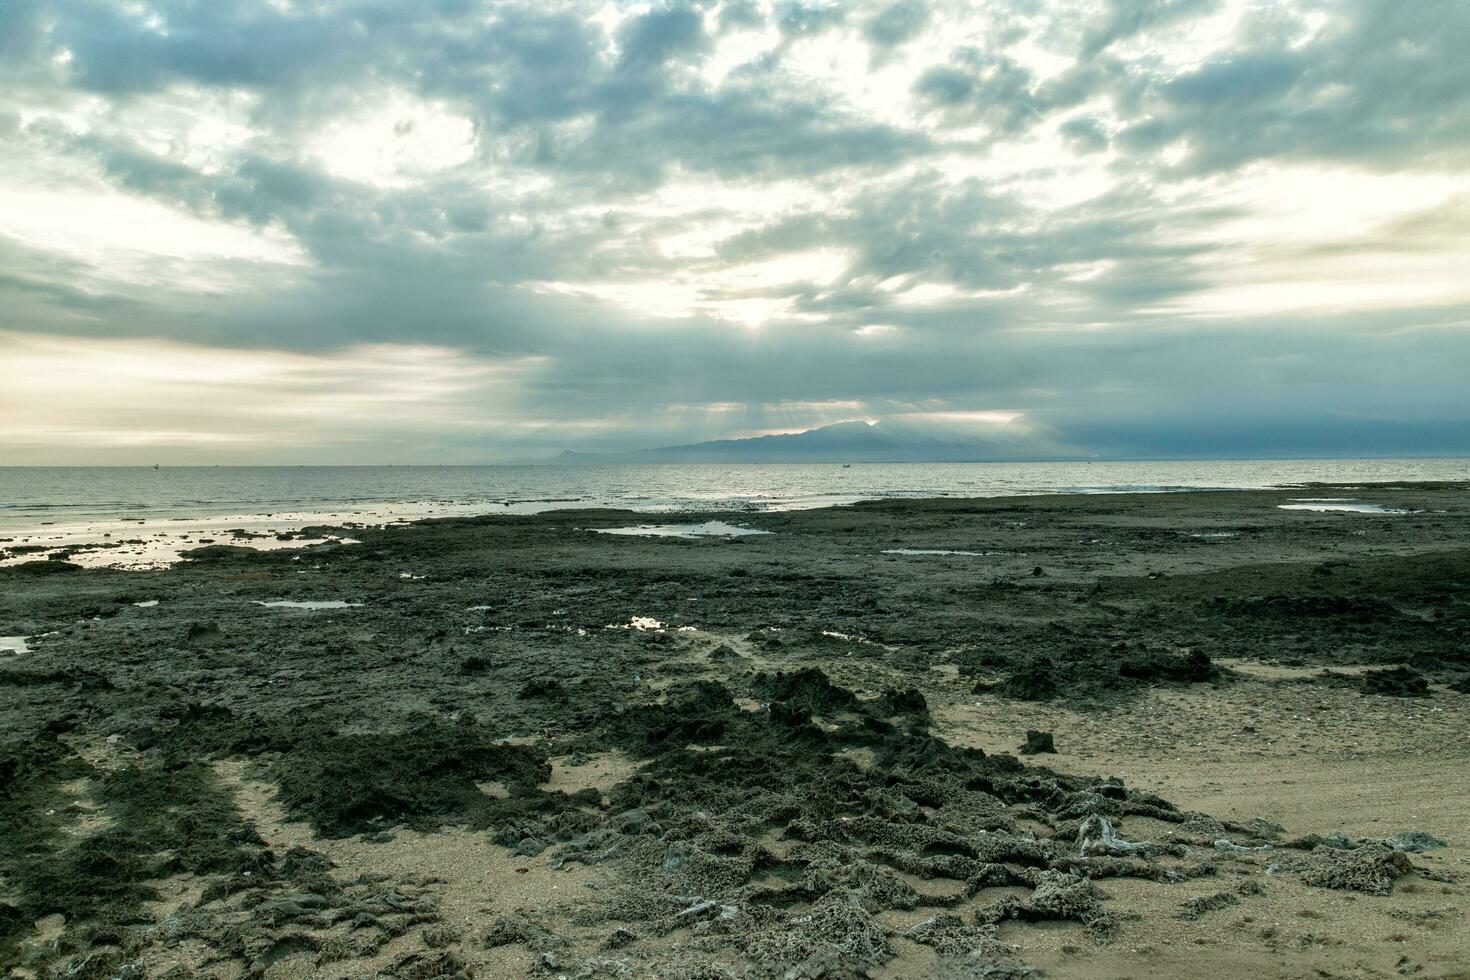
(840, 443)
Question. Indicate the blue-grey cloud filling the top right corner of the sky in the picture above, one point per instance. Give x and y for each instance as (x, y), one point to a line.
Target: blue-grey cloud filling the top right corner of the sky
(1375, 84)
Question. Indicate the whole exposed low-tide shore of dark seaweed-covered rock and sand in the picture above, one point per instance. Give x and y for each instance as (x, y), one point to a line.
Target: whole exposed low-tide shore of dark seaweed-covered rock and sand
(517, 747)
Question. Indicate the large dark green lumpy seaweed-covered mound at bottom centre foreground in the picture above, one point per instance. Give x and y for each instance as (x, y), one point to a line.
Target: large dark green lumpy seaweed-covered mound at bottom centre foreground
(762, 835)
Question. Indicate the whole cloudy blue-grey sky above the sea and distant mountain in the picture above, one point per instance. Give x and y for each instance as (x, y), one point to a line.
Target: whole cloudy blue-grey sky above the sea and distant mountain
(461, 231)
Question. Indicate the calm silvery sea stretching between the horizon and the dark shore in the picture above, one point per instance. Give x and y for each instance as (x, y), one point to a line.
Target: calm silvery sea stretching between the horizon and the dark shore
(62, 506)
